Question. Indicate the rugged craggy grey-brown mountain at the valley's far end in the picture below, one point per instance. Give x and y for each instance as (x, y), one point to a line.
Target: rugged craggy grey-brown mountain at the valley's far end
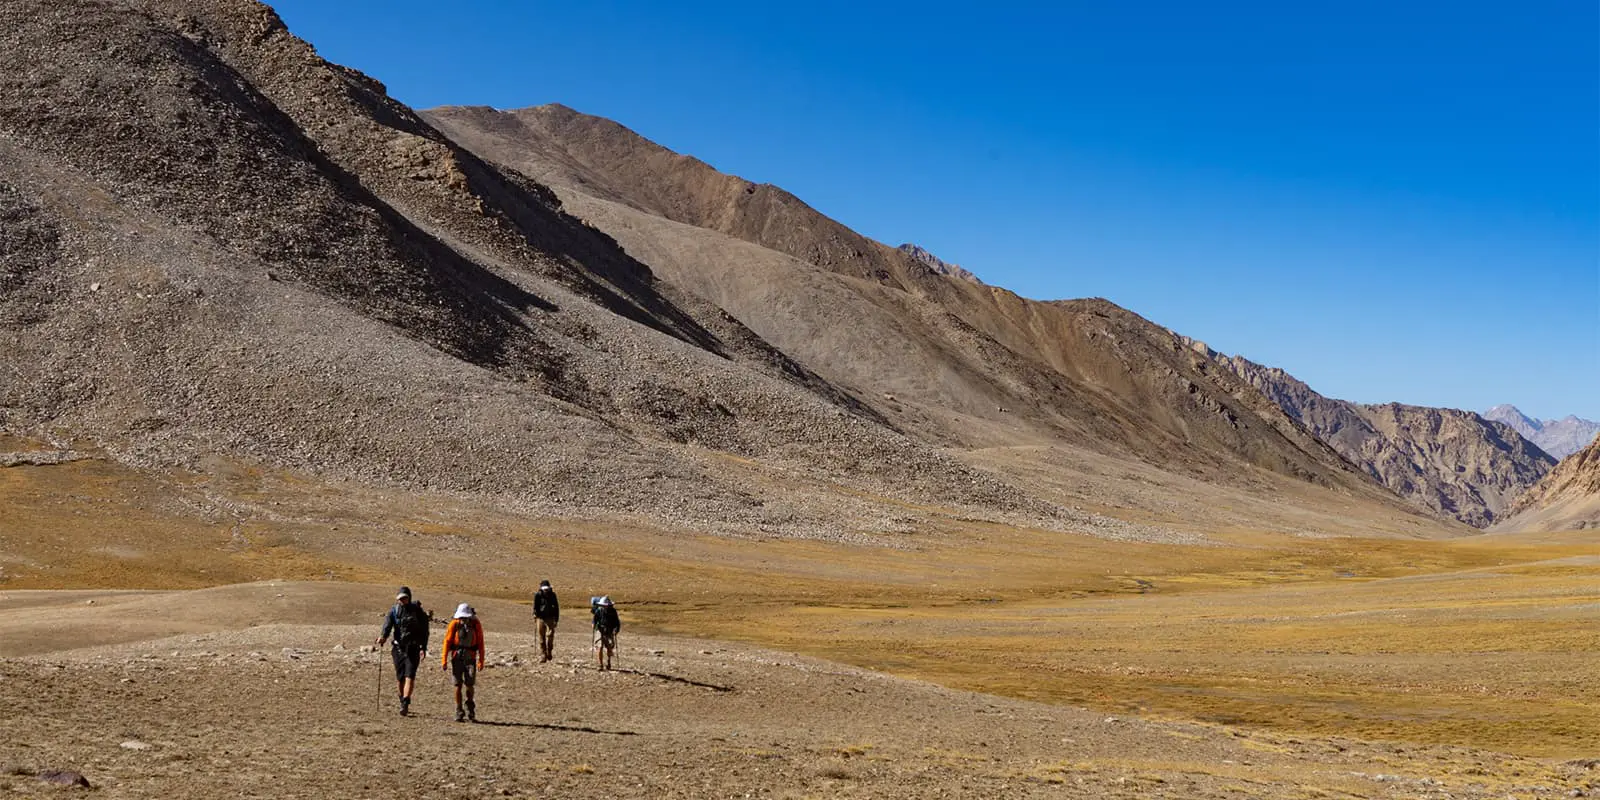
(1454, 463)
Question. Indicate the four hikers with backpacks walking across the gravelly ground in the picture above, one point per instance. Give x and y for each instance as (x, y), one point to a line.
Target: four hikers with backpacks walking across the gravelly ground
(407, 631)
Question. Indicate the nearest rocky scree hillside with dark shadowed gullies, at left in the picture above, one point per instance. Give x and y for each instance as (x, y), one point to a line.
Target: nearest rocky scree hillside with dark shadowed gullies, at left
(220, 244)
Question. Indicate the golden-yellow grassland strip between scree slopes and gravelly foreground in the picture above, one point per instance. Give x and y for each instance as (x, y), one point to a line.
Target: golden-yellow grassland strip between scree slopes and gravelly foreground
(1487, 642)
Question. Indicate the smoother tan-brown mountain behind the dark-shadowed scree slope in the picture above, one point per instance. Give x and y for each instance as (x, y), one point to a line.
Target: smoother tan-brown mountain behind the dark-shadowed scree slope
(946, 359)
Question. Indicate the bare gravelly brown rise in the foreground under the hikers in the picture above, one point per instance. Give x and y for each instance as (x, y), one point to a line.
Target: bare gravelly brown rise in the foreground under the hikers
(305, 711)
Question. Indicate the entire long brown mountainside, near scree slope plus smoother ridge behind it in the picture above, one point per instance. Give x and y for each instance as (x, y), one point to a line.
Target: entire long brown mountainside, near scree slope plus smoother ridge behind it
(223, 252)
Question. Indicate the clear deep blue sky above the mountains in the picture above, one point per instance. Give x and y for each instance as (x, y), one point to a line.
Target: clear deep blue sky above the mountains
(1390, 201)
